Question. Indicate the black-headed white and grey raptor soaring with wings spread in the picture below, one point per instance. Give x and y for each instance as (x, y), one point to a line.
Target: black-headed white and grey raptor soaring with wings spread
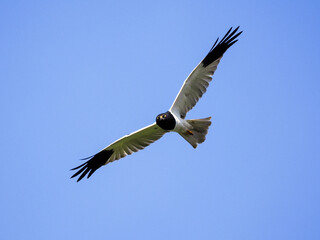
(194, 131)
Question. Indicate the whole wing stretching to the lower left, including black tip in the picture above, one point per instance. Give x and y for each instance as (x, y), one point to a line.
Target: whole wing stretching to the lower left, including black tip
(122, 147)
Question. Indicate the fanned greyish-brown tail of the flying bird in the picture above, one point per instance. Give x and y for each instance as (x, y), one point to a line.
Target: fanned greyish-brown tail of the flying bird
(197, 133)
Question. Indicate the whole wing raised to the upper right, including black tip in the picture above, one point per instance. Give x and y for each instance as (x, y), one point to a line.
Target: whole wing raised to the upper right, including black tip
(197, 82)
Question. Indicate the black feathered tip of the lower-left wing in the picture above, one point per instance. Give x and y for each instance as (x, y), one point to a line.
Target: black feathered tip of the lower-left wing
(94, 162)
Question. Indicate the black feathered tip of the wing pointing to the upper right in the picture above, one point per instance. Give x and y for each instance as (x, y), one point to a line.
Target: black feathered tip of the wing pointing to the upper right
(218, 50)
